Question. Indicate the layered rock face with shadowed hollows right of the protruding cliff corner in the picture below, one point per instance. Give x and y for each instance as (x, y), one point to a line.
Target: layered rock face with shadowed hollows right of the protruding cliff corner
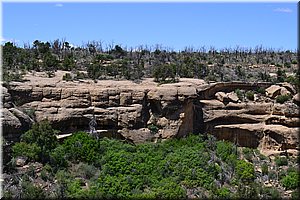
(264, 125)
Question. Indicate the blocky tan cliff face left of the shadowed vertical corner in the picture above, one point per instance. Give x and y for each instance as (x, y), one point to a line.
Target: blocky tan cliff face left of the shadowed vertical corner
(124, 109)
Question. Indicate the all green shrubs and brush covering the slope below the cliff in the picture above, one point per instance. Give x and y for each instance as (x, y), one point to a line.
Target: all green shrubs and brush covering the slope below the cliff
(83, 167)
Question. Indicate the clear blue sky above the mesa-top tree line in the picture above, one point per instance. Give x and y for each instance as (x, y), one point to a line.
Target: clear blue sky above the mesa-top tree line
(174, 25)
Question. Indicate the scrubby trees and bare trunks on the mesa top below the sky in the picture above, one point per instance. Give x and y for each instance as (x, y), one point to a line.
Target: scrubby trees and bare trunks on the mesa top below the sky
(163, 64)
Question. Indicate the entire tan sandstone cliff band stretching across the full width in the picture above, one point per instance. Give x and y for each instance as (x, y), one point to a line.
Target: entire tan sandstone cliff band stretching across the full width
(147, 111)
